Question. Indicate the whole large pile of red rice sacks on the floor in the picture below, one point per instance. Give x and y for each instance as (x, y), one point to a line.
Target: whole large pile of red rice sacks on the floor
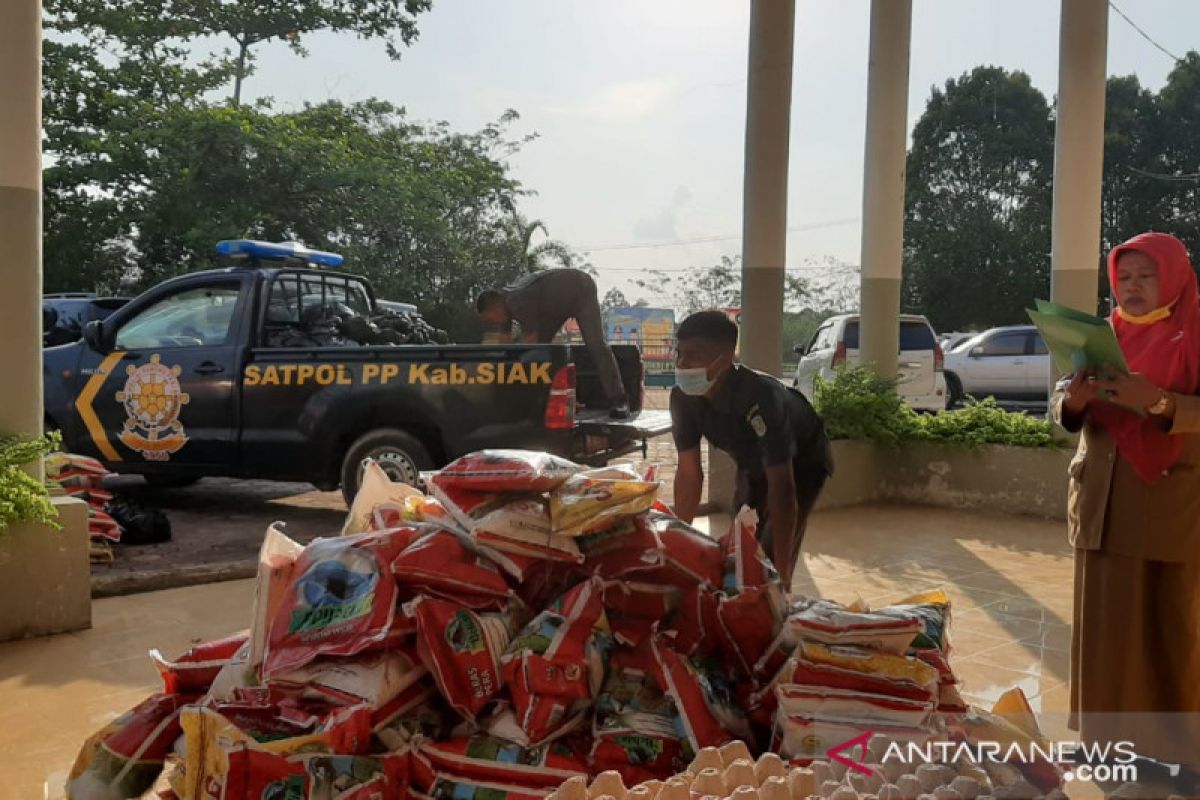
(527, 623)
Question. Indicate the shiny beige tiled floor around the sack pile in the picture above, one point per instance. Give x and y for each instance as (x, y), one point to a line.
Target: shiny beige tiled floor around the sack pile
(1010, 580)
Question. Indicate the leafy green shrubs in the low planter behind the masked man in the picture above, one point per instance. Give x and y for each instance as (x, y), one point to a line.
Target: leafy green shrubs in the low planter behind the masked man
(860, 405)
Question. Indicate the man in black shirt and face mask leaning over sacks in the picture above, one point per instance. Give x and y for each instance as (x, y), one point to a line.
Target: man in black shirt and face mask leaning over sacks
(771, 431)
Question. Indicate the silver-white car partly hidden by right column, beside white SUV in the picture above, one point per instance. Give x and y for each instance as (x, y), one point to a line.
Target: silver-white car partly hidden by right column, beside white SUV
(1005, 363)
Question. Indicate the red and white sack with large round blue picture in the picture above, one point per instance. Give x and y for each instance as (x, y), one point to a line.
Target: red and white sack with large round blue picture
(343, 600)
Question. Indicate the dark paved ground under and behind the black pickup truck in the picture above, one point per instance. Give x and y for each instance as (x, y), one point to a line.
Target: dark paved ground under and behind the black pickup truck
(219, 524)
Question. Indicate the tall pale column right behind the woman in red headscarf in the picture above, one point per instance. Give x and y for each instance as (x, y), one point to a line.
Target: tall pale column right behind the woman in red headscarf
(1079, 154)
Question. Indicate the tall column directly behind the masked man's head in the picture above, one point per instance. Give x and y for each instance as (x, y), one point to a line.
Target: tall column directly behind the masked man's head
(765, 203)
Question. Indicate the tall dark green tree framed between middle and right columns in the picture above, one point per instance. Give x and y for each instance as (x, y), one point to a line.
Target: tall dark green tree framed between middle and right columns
(977, 225)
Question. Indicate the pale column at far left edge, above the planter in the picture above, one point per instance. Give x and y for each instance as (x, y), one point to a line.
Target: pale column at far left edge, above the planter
(21, 216)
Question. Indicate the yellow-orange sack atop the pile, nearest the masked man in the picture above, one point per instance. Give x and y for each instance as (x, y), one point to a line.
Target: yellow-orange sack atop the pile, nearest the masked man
(597, 500)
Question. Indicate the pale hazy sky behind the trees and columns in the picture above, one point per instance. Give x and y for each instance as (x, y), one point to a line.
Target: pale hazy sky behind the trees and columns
(640, 105)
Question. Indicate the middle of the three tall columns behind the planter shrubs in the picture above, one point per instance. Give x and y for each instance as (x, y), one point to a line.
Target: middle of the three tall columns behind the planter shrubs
(887, 137)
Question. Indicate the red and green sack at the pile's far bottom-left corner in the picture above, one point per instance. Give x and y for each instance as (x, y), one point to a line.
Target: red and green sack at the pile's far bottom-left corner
(125, 757)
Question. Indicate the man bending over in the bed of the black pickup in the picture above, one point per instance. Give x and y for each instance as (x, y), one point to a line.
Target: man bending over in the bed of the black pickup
(543, 303)
